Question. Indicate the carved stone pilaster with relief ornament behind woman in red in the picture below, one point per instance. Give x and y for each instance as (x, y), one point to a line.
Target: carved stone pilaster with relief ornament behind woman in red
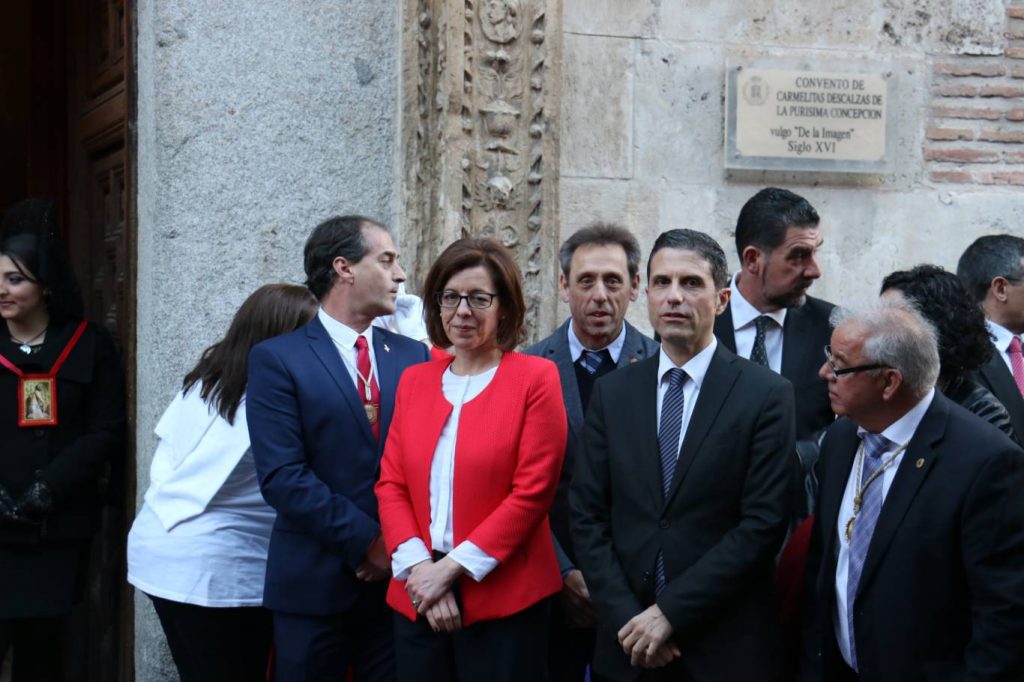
(481, 136)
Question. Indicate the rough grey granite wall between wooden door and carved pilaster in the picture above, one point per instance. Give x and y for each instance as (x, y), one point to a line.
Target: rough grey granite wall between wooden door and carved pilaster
(255, 121)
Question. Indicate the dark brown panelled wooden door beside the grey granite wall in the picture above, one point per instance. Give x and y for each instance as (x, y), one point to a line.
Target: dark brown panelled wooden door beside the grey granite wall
(101, 242)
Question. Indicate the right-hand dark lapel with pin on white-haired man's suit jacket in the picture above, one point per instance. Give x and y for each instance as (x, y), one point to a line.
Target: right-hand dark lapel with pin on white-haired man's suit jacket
(914, 468)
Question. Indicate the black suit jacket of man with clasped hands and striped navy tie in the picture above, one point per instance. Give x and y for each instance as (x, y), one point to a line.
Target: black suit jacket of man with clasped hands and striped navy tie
(719, 532)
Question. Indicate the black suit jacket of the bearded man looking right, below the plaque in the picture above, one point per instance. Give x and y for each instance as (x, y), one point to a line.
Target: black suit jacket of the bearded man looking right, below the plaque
(804, 336)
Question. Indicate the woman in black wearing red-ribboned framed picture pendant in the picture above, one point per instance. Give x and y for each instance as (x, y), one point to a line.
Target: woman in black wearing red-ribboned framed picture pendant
(62, 425)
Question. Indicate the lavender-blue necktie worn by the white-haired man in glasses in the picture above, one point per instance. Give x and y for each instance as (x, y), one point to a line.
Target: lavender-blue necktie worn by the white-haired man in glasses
(864, 527)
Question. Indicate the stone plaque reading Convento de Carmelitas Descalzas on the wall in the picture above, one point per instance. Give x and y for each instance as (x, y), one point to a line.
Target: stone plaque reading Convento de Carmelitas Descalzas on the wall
(784, 116)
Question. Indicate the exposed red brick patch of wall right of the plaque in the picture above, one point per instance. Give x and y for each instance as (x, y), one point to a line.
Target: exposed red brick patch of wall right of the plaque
(975, 133)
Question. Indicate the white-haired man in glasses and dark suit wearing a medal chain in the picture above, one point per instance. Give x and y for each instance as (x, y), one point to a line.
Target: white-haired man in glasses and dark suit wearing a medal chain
(917, 563)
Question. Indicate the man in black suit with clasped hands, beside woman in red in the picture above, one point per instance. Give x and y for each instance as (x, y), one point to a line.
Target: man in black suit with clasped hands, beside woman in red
(681, 495)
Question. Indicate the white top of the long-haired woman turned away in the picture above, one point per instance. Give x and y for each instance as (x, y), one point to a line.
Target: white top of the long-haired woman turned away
(203, 534)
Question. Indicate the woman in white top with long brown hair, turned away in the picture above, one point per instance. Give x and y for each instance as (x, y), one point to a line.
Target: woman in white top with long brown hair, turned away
(198, 548)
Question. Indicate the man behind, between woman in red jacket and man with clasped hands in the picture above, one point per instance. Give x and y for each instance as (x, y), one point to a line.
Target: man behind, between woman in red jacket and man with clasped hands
(601, 278)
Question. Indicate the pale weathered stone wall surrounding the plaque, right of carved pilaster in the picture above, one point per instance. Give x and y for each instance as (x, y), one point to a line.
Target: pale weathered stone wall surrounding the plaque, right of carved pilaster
(643, 117)
